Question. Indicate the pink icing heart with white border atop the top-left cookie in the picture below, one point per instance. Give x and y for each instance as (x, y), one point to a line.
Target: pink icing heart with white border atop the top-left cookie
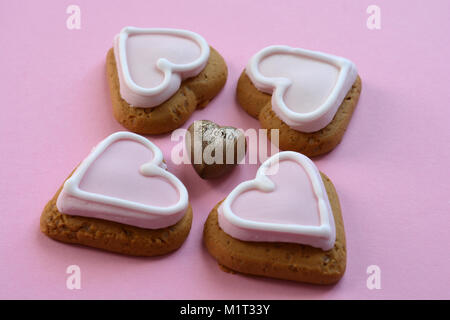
(152, 62)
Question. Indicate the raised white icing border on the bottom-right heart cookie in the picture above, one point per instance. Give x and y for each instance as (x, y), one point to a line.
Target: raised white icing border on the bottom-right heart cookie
(323, 236)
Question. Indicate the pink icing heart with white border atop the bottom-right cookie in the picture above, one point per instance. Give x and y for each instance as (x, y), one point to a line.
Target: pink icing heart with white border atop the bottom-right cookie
(286, 202)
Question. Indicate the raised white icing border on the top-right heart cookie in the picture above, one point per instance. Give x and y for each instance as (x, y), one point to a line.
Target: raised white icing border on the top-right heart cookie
(322, 116)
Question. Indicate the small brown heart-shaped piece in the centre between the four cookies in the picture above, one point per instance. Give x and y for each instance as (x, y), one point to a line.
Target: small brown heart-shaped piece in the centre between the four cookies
(213, 149)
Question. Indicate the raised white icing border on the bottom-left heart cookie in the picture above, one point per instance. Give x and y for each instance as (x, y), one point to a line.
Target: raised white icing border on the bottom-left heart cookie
(155, 167)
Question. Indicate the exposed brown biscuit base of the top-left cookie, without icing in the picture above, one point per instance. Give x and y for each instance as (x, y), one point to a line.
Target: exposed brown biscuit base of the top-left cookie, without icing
(194, 93)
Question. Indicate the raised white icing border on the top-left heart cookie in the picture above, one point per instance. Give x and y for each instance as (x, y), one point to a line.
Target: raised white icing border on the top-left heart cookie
(186, 70)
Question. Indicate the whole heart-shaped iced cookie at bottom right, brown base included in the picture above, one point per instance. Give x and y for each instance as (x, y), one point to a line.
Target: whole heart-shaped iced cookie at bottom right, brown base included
(285, 224)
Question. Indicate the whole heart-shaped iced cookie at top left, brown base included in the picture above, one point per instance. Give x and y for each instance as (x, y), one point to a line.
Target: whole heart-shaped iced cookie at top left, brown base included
(159, 77)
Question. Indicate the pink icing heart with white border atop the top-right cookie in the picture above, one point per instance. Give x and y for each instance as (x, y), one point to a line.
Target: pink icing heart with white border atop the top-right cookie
(307, 87)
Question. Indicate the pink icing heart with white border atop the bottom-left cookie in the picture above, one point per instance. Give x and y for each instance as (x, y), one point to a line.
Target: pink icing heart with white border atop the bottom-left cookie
(124, 179)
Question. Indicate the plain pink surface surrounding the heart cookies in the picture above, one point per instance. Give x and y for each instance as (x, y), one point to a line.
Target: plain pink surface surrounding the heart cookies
(391, 170)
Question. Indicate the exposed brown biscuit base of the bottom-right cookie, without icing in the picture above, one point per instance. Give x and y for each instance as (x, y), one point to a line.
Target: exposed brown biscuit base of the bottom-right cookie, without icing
(288, 261)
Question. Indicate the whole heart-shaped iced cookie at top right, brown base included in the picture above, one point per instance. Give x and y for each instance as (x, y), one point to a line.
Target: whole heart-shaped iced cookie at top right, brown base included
(308, 96)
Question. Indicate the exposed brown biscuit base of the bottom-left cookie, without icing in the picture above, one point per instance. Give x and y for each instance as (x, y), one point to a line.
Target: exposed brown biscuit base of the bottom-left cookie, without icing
(113, 236)
